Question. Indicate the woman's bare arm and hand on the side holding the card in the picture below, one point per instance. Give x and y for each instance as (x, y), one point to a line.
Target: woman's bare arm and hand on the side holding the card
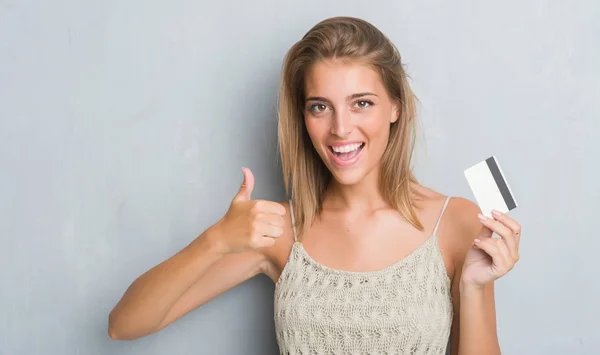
(478, 261)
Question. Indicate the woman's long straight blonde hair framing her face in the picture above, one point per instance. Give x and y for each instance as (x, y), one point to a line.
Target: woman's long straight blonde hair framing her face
(305, 175)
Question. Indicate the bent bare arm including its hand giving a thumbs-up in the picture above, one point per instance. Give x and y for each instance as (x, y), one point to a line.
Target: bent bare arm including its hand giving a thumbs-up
(225, 255)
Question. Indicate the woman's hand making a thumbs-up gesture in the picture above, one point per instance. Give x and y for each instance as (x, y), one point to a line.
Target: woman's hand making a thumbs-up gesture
(249, 224)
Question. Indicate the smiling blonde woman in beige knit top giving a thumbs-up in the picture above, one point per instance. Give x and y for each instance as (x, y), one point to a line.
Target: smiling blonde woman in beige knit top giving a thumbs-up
(365, 259)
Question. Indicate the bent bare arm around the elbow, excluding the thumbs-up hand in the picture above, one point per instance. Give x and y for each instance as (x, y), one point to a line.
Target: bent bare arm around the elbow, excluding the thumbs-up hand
(178, 285)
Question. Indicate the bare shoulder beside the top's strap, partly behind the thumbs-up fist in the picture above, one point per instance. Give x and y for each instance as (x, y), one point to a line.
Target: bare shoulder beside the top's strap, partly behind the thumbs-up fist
(276, 255)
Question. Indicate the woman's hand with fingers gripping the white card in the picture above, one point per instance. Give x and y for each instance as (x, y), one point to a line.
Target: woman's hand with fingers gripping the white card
(491, 258)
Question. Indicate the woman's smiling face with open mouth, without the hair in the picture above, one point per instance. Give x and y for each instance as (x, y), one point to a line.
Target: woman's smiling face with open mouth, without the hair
(347, 113)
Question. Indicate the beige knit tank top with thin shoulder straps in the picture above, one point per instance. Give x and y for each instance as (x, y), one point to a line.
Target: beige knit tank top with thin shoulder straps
(405, 308)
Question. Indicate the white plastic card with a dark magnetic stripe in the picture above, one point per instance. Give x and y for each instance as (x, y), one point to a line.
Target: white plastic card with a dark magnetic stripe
(490, 187)
